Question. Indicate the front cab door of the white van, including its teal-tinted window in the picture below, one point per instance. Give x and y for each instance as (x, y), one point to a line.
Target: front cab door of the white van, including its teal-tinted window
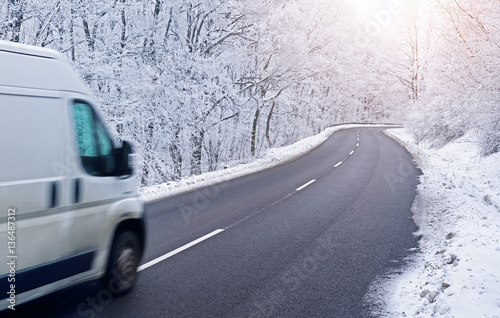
(97, 189)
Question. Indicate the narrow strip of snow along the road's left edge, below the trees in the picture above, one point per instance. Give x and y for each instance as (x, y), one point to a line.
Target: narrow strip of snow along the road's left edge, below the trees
(271, 157)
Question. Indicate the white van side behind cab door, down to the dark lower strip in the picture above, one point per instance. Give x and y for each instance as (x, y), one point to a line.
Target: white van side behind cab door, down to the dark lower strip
(27, 177)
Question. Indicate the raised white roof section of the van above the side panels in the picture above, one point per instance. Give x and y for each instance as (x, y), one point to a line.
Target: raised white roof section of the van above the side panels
(38, 68)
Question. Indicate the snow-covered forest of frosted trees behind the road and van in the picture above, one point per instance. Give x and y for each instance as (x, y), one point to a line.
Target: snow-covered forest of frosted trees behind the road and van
(198, 85)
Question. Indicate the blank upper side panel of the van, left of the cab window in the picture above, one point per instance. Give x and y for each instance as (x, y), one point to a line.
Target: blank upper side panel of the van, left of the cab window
(28, 148)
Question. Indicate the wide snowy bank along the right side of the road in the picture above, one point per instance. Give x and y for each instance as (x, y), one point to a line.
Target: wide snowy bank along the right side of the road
(456, 272)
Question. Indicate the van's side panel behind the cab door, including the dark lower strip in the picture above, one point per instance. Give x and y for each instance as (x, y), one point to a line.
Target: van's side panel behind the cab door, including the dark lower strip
(34, 212)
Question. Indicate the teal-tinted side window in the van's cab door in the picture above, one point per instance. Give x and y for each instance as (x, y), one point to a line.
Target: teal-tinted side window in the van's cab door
(94, 145)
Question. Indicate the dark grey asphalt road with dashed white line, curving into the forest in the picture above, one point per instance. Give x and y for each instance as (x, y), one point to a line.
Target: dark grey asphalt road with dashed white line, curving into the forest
(280, 245)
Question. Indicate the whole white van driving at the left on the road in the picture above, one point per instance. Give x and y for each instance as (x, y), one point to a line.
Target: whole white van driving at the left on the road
(69, 207)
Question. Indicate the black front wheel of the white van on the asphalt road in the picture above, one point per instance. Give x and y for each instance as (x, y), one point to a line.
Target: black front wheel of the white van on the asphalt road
(121, 274)
